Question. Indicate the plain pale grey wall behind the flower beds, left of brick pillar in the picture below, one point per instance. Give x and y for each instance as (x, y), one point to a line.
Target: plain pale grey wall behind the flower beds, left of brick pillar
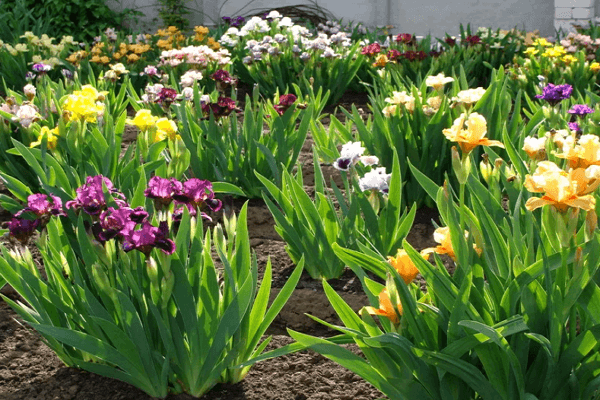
(422, 17)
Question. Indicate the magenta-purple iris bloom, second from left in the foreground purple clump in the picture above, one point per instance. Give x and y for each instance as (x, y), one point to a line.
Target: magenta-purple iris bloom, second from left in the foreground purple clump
(90, 196)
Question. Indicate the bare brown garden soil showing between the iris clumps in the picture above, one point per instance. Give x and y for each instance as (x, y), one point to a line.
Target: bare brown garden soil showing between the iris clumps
(29, 370)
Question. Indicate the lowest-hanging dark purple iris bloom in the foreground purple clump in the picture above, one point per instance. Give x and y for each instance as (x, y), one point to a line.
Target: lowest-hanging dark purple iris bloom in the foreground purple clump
(148, 237)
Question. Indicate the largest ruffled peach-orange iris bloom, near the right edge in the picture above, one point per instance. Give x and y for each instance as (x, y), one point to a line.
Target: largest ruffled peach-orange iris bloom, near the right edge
(561, 189)
